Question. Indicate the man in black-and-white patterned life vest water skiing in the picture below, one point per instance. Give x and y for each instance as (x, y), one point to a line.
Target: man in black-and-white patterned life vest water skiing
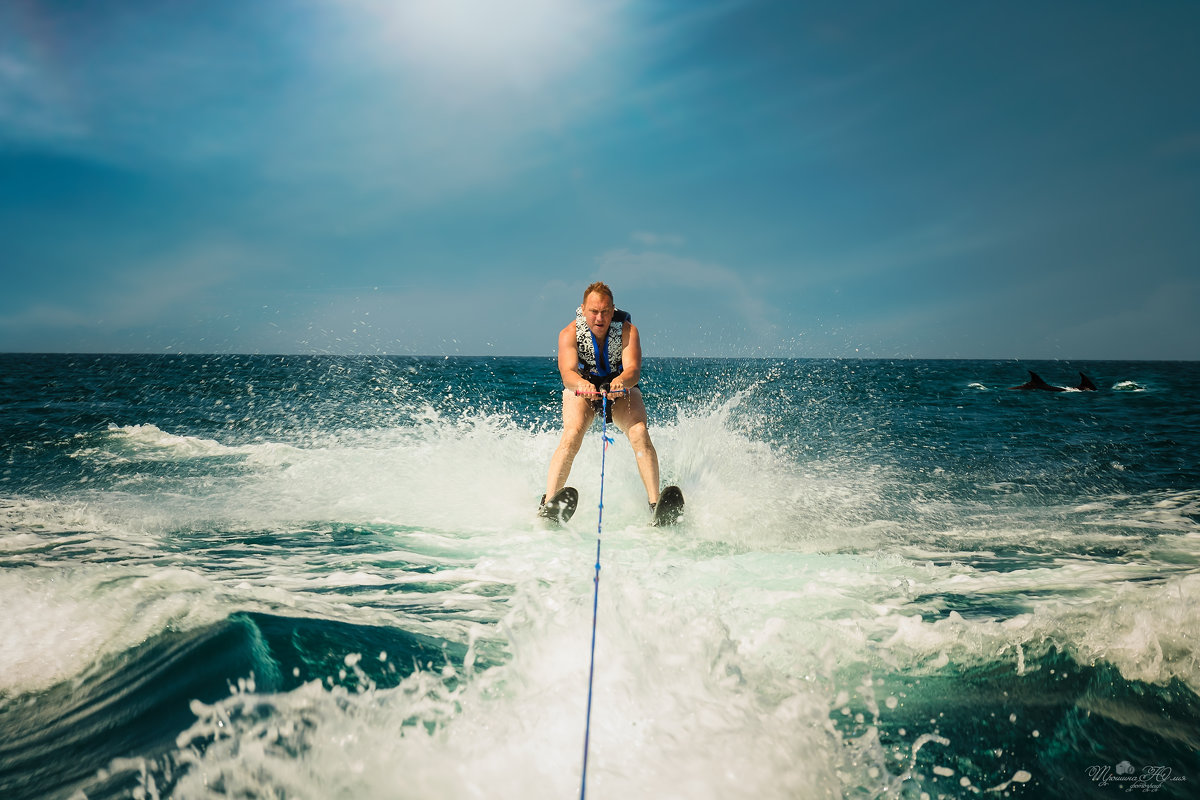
(601, 352)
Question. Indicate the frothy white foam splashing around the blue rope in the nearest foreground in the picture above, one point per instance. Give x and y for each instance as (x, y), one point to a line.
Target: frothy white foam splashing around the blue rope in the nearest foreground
(670, 694)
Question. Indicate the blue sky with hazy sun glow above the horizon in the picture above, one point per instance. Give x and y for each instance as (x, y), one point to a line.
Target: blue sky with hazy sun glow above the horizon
(753, 178)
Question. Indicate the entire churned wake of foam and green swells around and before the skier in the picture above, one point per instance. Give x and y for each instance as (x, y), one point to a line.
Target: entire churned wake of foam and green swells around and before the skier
(371, 612)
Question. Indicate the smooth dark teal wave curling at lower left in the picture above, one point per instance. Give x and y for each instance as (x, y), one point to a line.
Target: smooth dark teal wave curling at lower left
(75, 736)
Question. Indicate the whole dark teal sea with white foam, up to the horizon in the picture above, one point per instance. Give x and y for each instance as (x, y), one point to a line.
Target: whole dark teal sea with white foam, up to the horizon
(322, 578)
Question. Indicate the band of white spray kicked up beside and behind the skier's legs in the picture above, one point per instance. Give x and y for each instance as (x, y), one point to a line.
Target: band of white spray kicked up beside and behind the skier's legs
(470, 472)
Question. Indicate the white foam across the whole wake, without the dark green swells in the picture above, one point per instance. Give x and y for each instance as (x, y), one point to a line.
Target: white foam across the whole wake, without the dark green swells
(721, 647)
